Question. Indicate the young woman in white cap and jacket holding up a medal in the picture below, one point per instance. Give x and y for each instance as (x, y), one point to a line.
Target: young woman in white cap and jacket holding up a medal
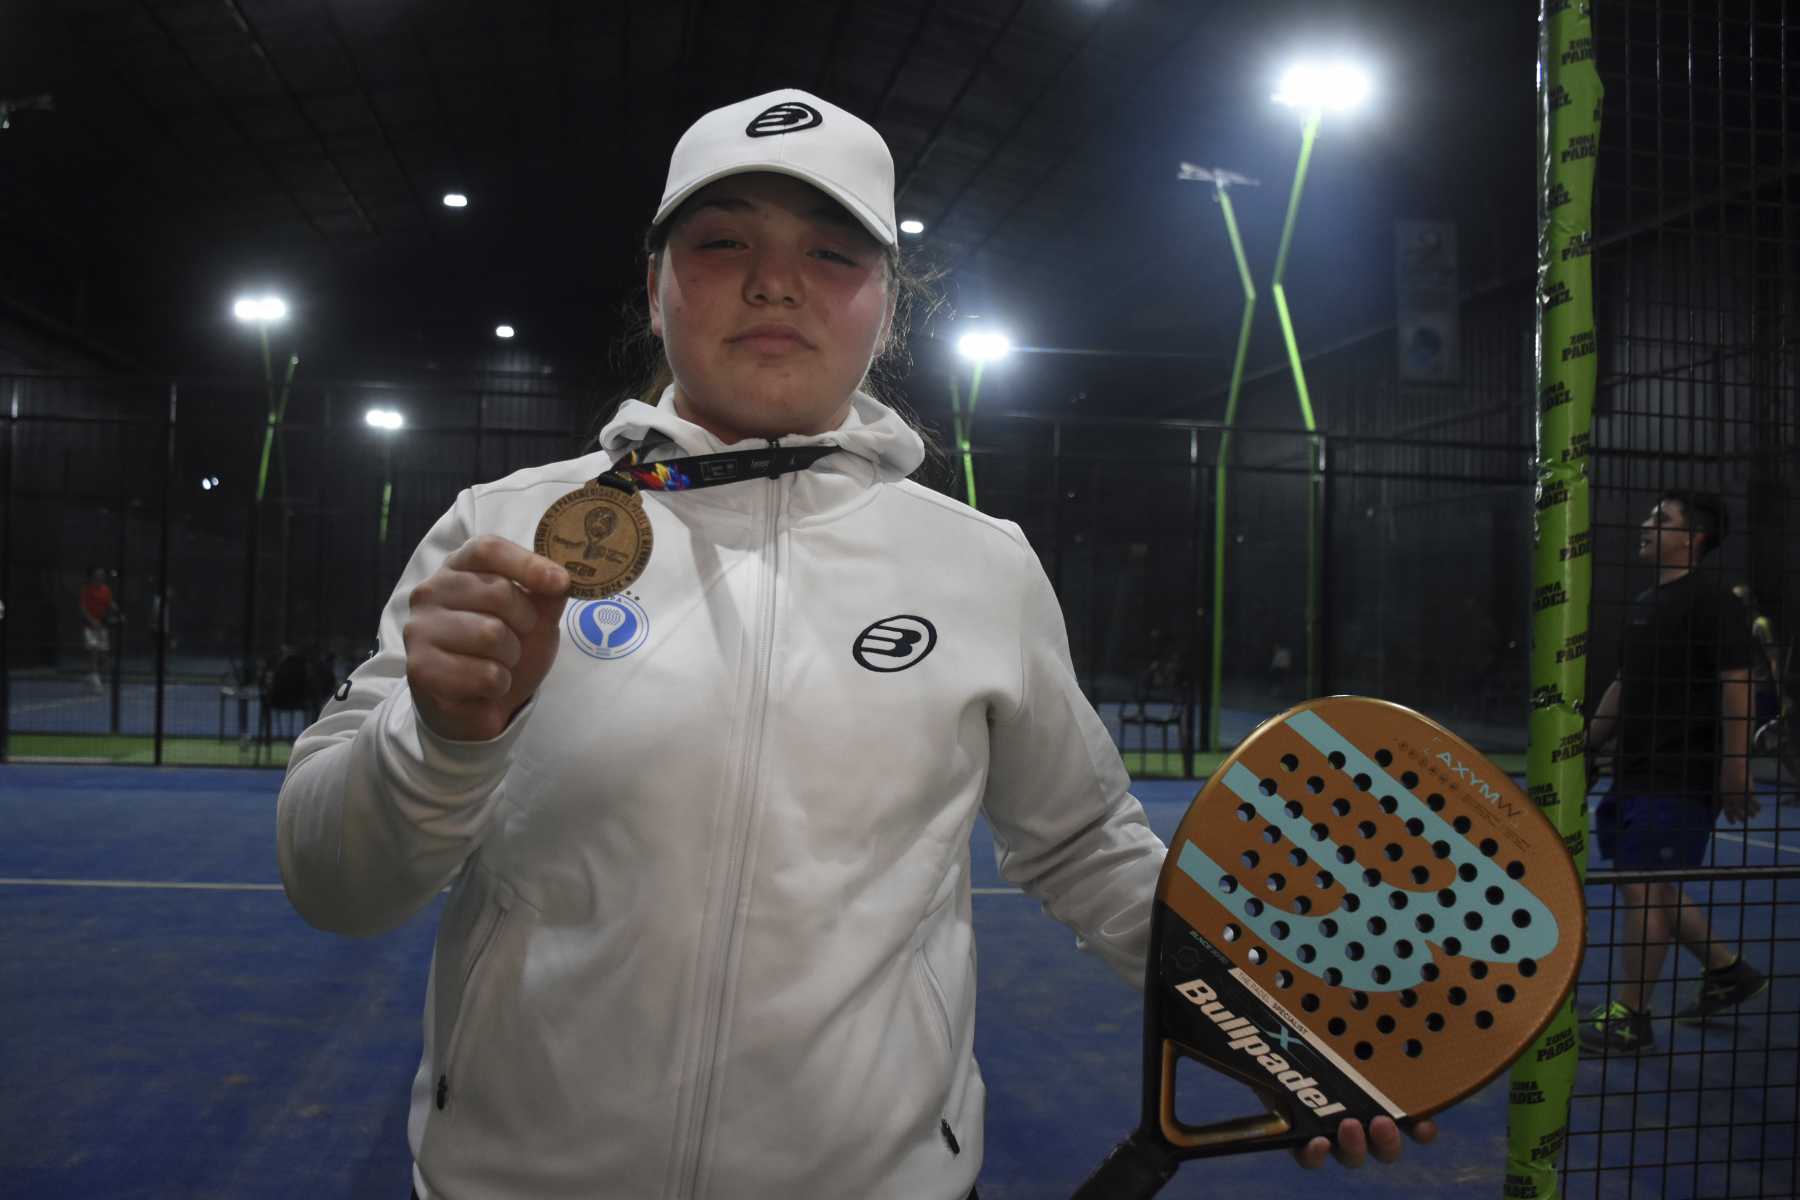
(708, 834)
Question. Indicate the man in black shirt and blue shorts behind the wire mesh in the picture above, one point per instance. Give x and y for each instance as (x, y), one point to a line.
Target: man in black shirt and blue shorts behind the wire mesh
(1680, 717)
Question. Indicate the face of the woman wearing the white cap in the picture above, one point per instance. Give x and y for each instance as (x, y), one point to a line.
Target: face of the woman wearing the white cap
(769, 300)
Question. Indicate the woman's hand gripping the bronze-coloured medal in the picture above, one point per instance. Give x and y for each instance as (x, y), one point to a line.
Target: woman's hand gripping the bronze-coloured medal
(481, 636)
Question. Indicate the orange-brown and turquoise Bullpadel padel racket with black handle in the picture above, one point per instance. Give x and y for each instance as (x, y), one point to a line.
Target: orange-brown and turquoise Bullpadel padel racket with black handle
(1358, 917)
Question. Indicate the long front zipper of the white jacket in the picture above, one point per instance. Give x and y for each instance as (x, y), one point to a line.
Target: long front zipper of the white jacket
(733, 891)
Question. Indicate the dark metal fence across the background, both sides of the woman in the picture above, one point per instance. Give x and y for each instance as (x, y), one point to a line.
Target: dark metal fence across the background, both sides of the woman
(154, 485)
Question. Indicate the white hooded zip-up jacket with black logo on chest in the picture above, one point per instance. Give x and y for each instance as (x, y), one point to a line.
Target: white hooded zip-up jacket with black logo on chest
(710, 924)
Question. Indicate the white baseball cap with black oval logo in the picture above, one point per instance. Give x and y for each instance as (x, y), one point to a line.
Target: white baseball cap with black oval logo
(789, 132)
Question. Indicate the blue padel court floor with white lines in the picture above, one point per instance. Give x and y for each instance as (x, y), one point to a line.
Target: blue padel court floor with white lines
(170, 1028)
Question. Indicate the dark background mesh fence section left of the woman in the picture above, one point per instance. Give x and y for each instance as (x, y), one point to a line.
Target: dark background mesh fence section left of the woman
(166, 609)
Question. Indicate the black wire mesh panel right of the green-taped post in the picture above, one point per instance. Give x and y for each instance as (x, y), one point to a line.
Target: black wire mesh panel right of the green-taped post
(1700, 395)
